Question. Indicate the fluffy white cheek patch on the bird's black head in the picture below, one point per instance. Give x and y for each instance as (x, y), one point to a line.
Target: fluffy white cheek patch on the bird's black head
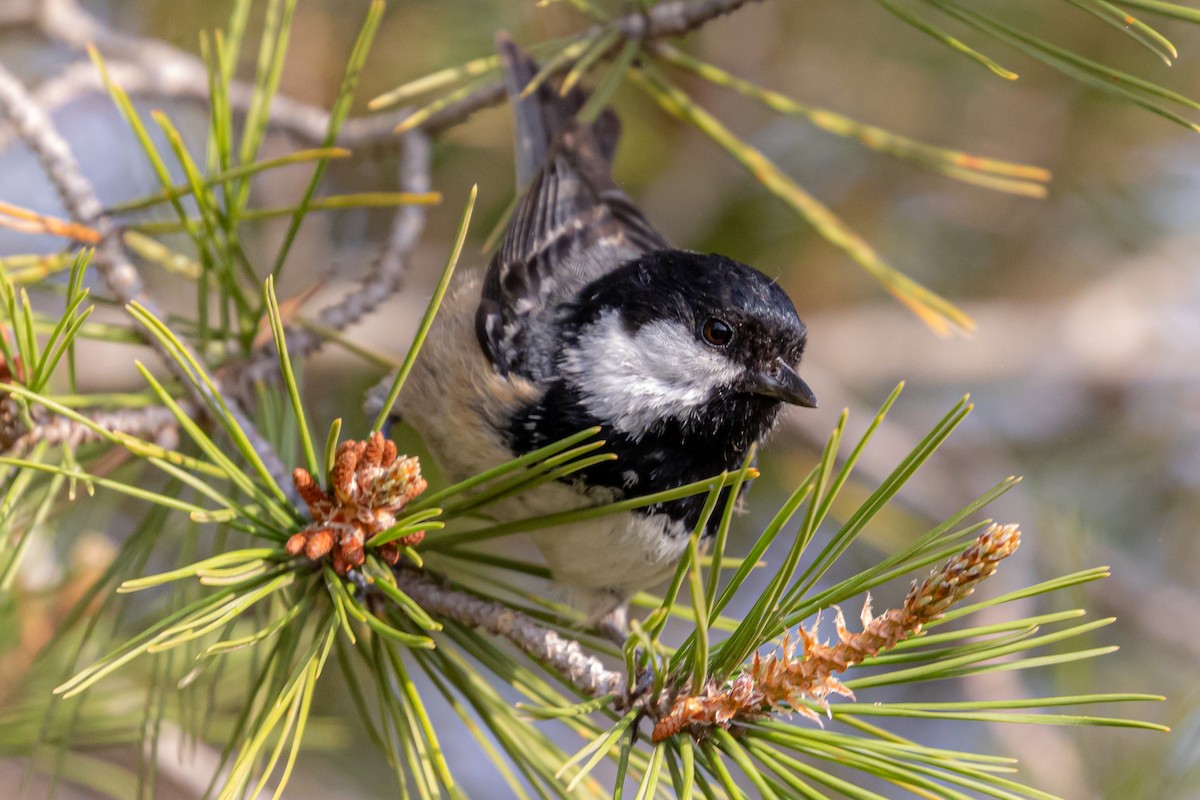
(637, 382)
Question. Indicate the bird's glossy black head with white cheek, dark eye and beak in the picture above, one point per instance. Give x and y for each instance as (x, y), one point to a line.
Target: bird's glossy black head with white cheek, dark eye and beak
(680, 338)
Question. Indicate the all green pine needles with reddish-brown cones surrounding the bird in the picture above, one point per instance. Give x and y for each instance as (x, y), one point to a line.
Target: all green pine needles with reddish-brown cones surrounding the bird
(245, 598)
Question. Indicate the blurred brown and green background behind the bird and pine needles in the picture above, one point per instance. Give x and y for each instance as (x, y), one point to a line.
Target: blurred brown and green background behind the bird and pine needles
(1085, 368)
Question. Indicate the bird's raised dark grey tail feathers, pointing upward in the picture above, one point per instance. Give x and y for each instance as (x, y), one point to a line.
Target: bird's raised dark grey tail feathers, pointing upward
(542, 116)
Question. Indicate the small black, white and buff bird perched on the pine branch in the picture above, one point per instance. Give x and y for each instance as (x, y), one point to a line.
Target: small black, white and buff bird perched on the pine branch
(586, 316)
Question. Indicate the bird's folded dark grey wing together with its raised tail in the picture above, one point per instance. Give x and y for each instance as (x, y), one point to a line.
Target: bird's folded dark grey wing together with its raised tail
(572, 226)
